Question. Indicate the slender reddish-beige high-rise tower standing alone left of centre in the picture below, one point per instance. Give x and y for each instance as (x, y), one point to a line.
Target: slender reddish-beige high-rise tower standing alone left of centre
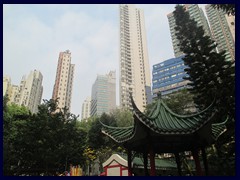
(64, 80)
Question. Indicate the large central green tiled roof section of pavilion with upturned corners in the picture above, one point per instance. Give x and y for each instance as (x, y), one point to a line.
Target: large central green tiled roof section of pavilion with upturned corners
(163, 121)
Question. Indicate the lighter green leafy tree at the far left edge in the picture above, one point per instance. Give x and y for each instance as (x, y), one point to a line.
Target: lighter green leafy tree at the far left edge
(15, 122)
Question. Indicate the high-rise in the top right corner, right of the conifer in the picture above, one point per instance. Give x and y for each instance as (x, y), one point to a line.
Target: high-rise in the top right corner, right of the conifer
(221, 31)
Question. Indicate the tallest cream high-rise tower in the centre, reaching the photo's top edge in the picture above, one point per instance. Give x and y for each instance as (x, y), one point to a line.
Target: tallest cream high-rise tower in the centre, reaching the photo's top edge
(134, 65)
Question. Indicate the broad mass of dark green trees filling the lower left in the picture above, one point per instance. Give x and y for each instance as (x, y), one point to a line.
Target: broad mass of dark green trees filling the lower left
(46, 142)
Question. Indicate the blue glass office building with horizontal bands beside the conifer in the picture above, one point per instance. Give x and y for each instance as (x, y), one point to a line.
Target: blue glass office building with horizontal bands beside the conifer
(167, 76)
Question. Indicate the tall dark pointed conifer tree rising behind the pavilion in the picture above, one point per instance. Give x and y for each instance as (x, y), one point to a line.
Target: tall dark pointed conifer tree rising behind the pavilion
(211, 76)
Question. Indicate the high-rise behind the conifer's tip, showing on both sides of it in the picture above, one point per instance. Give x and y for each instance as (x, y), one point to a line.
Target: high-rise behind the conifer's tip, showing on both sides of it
(195, 13)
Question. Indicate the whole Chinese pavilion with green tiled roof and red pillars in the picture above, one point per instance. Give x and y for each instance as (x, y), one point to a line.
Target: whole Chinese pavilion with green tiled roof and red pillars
(163, 131)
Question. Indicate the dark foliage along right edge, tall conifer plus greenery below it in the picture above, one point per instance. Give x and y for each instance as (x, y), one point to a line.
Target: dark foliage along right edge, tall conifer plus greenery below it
(212, 78)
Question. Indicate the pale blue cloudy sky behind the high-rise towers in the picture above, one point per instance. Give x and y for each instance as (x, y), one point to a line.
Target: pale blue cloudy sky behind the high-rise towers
(33, 36)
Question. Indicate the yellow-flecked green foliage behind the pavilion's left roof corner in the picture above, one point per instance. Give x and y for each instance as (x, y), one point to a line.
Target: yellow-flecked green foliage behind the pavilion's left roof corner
(100, 146)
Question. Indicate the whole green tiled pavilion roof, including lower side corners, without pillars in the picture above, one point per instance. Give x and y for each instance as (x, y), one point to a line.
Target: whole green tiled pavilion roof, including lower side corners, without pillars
(161, 121)
